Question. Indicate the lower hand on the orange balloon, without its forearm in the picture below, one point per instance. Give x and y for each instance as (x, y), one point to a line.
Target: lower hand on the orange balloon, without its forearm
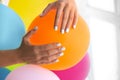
(42, 54)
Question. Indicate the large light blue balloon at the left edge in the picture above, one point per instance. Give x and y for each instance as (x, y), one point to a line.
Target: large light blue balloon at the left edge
(12, 29)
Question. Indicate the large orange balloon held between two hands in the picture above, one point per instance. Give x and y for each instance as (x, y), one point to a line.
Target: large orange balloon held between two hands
(76, 41)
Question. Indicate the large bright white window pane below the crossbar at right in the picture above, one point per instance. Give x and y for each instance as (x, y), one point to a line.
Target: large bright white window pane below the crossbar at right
(104, 50)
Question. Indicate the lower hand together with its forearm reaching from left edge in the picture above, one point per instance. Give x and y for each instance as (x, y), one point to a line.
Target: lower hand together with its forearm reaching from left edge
(41, 54)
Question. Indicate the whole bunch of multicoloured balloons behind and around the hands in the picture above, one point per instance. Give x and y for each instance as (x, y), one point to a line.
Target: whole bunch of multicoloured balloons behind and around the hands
(74, 65)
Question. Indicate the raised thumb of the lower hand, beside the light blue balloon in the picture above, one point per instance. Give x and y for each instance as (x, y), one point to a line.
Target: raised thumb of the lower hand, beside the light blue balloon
(26, 38)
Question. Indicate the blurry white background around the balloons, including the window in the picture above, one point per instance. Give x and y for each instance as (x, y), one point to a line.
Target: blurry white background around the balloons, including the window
(103, 19)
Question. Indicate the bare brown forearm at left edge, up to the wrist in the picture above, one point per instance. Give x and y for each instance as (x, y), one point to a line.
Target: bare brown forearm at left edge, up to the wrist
(9, 57)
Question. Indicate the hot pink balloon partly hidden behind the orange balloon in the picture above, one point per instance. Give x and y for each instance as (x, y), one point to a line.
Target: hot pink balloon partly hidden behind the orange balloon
(78, 72)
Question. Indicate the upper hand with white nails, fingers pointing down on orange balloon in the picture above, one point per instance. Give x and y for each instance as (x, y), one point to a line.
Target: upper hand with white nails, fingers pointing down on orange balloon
(70, 14)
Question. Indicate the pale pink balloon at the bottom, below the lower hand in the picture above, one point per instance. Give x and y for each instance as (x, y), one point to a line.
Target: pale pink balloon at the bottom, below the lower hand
(31, 72)
